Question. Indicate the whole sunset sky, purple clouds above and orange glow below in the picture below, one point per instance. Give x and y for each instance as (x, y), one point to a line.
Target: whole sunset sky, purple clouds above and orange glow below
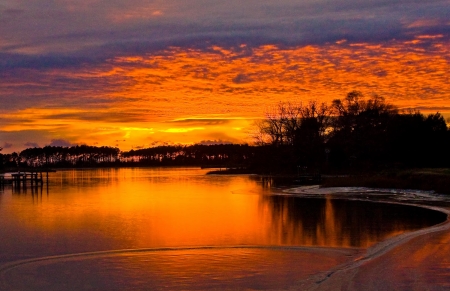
(135, 74)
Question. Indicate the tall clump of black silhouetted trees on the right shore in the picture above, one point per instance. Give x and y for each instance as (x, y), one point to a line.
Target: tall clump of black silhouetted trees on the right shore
(353, 133)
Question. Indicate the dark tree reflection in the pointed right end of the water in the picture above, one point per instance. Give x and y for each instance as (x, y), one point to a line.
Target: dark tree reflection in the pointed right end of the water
(341, 223)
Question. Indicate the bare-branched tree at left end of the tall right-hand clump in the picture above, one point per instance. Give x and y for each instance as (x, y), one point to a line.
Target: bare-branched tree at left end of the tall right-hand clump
(292, 135)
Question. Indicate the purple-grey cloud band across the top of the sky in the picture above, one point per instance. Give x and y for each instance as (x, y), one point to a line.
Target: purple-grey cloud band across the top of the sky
(47, 34)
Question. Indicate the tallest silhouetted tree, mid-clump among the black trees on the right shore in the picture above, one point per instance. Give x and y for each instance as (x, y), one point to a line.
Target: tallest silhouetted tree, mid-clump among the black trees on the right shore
(359, 130)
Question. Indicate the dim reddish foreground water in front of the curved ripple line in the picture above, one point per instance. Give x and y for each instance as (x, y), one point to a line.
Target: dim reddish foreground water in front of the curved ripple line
(262, 268)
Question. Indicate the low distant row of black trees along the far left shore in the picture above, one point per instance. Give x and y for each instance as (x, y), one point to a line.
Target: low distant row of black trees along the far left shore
(91, 156)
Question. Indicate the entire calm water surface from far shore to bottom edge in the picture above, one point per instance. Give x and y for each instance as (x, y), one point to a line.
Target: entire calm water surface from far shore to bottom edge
(150, 229)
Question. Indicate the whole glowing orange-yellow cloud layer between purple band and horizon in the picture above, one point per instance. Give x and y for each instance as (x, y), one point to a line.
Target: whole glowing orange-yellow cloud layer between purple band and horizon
(135, 99)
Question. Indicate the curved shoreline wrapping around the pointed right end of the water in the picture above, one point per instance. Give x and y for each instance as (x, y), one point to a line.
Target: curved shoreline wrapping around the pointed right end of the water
(364, 272)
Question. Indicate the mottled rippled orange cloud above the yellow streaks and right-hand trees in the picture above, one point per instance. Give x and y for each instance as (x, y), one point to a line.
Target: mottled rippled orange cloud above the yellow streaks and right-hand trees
(234, 83)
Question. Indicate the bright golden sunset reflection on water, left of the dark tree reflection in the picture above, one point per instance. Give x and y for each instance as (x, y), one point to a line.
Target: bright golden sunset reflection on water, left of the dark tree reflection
(130, 208)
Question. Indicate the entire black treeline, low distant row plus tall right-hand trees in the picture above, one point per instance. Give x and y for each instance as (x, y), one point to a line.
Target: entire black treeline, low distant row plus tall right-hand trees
(352, 134)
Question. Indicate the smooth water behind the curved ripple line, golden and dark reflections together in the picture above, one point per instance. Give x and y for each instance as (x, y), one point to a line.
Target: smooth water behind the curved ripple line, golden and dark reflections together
(140, 208)
